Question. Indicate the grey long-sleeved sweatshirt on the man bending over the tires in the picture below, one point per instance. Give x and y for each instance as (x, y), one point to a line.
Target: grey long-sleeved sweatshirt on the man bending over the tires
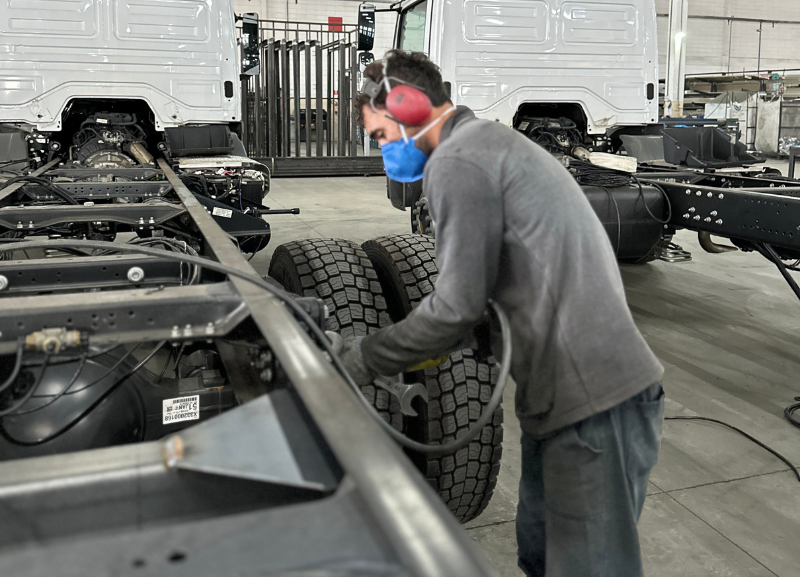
(513, 225)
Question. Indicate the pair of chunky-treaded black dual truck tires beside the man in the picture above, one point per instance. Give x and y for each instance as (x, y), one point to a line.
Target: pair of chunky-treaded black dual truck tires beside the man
(368, 287)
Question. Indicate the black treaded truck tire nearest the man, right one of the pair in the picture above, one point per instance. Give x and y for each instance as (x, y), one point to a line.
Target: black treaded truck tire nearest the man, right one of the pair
(458, 390)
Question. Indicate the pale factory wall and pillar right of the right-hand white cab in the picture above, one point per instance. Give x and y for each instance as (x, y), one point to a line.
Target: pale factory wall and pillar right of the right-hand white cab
(708, 40)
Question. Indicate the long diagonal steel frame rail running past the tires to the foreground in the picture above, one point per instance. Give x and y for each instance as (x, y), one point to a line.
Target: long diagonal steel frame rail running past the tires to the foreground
(424, 535)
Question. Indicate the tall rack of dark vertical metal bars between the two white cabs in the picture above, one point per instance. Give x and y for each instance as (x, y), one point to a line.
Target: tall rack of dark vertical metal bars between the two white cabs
(301, 103)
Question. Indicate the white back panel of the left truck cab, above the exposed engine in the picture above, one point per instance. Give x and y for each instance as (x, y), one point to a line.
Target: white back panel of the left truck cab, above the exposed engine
(175, 54)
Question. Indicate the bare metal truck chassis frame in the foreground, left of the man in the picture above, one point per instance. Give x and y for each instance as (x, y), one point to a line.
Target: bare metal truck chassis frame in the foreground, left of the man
(299, 478)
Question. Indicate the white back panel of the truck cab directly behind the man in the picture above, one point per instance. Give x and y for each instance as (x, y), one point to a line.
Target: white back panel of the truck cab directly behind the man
(499, 54)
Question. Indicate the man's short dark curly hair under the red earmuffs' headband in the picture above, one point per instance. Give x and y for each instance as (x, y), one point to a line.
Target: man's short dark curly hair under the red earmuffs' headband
(412, 67)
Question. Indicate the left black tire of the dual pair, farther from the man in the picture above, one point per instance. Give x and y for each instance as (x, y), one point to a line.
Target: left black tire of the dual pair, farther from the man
(339, 273)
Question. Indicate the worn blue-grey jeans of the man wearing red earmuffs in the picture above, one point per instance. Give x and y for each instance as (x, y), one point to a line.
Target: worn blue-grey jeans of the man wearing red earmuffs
(582, 491)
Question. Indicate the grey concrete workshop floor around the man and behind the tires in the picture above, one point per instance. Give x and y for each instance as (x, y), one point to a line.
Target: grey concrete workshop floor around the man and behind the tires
(724, 326)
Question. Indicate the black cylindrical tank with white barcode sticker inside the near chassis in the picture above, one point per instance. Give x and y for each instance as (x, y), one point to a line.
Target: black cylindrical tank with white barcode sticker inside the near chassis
(63, 414)
